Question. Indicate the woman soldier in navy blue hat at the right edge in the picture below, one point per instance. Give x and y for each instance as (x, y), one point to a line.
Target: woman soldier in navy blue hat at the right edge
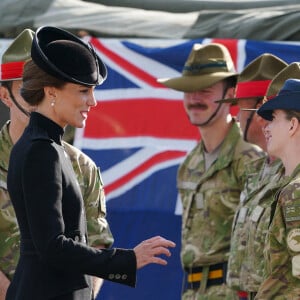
(282, 250)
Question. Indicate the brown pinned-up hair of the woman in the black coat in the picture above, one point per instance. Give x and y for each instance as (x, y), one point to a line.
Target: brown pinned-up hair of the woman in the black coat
(34, 81)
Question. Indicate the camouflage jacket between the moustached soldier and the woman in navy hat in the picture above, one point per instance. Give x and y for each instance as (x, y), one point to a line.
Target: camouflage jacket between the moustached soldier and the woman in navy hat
(250, 226)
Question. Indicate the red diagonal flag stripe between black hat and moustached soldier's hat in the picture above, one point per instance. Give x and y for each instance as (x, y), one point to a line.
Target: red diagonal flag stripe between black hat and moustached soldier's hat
(139, 73)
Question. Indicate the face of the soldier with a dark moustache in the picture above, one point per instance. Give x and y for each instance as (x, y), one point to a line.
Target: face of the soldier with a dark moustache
(201, 105)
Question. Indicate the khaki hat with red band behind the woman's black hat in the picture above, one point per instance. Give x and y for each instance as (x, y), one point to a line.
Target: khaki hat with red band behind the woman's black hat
(15, 56)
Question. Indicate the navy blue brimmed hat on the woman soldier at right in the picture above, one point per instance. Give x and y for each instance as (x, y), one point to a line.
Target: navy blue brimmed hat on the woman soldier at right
(288, 98)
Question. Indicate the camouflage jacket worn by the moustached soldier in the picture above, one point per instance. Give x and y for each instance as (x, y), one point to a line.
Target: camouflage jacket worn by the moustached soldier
(210, 198)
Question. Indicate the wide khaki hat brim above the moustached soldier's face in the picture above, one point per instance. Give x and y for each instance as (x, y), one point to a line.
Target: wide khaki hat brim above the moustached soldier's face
(195, 83)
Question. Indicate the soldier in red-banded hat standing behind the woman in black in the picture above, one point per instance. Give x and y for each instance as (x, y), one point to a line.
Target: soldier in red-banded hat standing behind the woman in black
(88, 174)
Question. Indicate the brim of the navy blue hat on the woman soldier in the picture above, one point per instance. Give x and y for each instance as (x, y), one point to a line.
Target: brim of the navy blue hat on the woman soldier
(288, 101)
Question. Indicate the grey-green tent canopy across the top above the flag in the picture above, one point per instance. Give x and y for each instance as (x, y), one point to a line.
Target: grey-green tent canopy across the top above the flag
(171, 19)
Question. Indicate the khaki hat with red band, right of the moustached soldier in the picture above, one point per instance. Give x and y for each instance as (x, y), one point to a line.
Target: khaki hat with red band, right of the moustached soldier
(254, 80)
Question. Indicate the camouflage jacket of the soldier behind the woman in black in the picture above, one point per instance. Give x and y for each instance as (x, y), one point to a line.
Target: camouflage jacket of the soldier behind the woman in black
(91, 185)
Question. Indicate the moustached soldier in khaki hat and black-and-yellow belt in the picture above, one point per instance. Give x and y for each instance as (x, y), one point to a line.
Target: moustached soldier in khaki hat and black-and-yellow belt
(212, 175)
